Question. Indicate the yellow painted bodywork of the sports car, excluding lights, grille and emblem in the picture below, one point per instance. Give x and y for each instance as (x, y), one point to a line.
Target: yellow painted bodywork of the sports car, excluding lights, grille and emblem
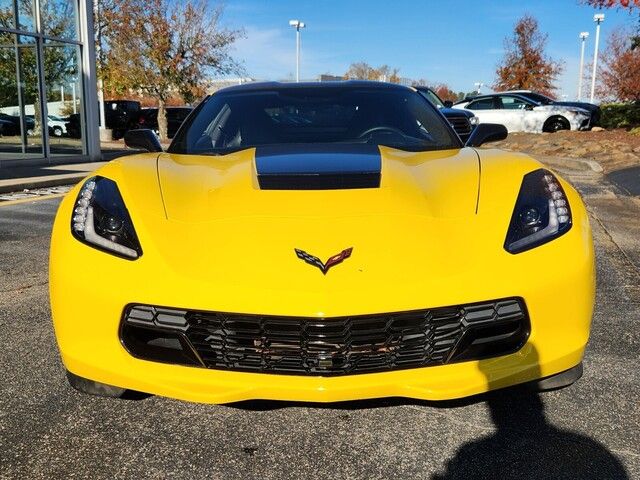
(432, 235)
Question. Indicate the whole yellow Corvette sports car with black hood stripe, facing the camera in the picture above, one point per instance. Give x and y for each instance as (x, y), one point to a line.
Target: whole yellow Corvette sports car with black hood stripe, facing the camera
(320, 242)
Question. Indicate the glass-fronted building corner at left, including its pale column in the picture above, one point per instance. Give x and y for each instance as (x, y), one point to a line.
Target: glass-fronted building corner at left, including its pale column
(48, 100)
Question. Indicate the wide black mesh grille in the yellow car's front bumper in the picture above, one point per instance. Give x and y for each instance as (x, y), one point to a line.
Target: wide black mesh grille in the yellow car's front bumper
(331, 346)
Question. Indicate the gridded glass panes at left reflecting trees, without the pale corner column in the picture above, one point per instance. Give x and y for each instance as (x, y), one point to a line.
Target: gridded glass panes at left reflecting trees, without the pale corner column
(38, 67)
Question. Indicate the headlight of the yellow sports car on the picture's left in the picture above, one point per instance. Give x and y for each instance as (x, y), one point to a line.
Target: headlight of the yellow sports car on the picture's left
(101, 219)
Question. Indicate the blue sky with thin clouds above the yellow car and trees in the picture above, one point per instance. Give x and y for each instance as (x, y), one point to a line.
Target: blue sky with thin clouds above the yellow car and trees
(455, 42)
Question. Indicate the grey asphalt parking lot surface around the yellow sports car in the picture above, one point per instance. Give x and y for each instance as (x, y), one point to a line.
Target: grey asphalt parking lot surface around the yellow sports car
(589, 430)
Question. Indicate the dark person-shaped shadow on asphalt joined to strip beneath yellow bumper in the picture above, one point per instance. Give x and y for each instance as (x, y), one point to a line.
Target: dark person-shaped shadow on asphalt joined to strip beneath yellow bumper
(524, 444)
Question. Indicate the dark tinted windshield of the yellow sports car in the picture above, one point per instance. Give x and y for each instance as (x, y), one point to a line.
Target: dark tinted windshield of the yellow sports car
(230, 121)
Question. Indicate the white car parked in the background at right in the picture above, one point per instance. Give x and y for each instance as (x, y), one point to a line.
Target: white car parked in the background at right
(521, 114)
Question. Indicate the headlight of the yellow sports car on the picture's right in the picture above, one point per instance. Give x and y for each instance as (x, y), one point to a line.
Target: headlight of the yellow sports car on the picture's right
(541, 213)
